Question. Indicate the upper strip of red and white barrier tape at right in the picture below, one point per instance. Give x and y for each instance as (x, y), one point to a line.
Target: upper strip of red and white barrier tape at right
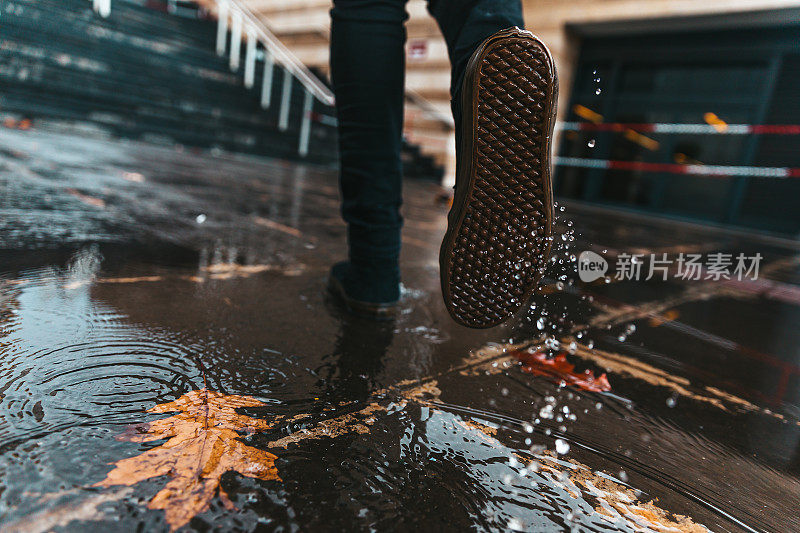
(702, 129)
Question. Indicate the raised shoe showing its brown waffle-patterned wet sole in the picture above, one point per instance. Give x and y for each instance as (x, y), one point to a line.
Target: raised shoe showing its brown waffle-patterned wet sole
(499, 228)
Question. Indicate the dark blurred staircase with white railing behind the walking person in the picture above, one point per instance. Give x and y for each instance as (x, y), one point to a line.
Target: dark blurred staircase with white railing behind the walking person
(149, 70)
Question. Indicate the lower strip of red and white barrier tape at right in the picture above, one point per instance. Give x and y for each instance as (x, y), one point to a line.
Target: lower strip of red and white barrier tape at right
(674, 168)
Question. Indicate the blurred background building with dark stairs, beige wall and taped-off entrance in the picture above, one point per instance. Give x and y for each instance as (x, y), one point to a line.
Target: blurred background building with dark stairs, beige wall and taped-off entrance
(672, 107)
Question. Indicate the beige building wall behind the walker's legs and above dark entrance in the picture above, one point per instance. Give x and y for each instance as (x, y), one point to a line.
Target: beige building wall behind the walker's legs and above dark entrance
(303, 26)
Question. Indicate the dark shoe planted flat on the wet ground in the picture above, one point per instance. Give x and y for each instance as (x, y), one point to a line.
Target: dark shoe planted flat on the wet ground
(370, 292)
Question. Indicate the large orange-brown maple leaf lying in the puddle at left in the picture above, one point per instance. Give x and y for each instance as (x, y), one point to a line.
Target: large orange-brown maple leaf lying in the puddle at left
(203, 444)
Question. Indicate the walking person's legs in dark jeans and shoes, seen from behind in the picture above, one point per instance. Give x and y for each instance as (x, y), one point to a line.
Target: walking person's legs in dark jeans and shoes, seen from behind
(503, 90)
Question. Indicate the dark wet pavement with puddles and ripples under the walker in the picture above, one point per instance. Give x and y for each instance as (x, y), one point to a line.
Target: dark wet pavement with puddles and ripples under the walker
(131, 275)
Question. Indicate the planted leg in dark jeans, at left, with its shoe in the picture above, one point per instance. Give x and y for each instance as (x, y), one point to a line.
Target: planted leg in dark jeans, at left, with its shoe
(368, 71)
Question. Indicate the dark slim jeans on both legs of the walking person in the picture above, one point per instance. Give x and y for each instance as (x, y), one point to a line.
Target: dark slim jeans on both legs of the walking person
(368, 74)
